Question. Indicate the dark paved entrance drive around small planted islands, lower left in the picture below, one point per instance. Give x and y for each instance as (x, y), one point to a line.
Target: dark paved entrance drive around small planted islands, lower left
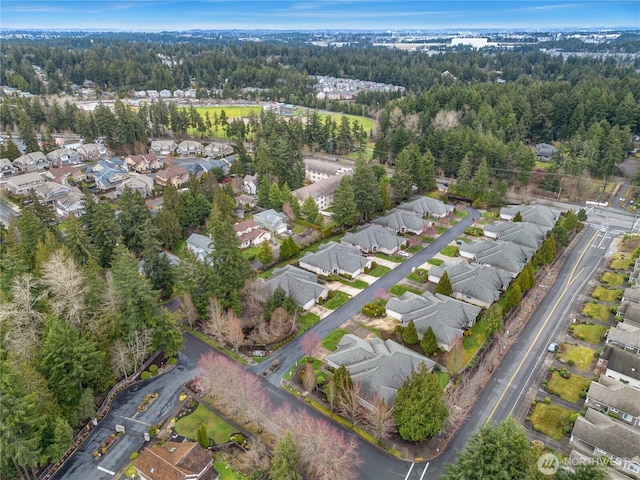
(124, 411)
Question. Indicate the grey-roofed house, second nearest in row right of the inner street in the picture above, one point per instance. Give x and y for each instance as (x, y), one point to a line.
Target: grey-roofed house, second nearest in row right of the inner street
(448, 317)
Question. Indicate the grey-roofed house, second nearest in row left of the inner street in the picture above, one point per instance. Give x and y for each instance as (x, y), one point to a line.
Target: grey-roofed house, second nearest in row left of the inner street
(333, 258)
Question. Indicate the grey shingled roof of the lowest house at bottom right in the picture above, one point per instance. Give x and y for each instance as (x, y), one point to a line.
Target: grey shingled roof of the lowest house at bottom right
(612, 436)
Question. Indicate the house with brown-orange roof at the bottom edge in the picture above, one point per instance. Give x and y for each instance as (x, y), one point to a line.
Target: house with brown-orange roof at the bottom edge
(176, 461)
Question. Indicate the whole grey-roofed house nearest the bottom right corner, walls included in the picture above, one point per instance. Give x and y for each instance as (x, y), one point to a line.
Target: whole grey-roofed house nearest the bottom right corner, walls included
(599, 435)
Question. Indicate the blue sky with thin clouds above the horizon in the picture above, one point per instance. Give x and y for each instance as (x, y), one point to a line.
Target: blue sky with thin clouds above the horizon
(315, 14)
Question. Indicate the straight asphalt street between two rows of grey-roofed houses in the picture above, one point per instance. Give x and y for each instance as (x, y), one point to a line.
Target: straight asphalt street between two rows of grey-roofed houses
(292, 352)
